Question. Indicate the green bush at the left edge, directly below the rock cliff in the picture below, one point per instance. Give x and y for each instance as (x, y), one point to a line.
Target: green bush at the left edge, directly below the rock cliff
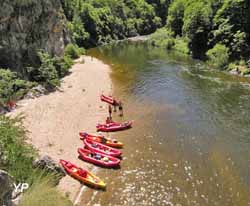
(11, 86)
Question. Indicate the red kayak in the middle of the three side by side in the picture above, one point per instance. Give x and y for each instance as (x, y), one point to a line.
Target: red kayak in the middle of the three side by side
(101, 148)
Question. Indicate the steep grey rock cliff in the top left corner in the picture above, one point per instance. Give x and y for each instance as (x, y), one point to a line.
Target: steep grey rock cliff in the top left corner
(27, 26)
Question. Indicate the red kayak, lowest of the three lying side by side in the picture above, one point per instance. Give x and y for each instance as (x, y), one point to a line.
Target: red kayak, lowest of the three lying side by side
(98, 158)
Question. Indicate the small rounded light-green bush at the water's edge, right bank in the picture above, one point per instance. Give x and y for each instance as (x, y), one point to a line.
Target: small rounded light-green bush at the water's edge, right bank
(218, 56)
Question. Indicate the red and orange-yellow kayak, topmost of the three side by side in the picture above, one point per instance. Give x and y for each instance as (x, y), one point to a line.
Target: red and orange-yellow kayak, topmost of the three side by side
(100, 138)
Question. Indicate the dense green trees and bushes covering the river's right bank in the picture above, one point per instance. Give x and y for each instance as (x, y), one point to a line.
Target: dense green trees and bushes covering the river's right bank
(215, 30)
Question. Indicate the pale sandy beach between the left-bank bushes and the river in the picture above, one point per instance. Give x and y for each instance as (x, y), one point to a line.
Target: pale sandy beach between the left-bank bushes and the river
(55, 120)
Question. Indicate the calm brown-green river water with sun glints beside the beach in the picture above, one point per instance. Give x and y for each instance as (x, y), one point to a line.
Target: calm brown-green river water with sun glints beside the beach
(190, 144)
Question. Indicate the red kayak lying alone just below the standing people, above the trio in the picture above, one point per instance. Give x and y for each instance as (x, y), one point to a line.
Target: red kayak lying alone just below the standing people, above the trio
(114, 126)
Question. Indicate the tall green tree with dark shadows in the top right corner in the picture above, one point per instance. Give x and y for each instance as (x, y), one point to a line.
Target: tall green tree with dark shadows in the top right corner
(231, 27)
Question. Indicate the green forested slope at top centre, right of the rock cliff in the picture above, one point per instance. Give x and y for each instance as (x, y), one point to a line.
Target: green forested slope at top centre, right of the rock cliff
(93, 22)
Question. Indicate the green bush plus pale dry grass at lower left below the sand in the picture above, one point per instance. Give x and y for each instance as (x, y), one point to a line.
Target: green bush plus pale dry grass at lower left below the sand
(17, 156)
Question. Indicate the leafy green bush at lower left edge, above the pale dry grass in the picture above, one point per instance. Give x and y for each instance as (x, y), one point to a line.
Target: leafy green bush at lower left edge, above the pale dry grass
(15, 155)
